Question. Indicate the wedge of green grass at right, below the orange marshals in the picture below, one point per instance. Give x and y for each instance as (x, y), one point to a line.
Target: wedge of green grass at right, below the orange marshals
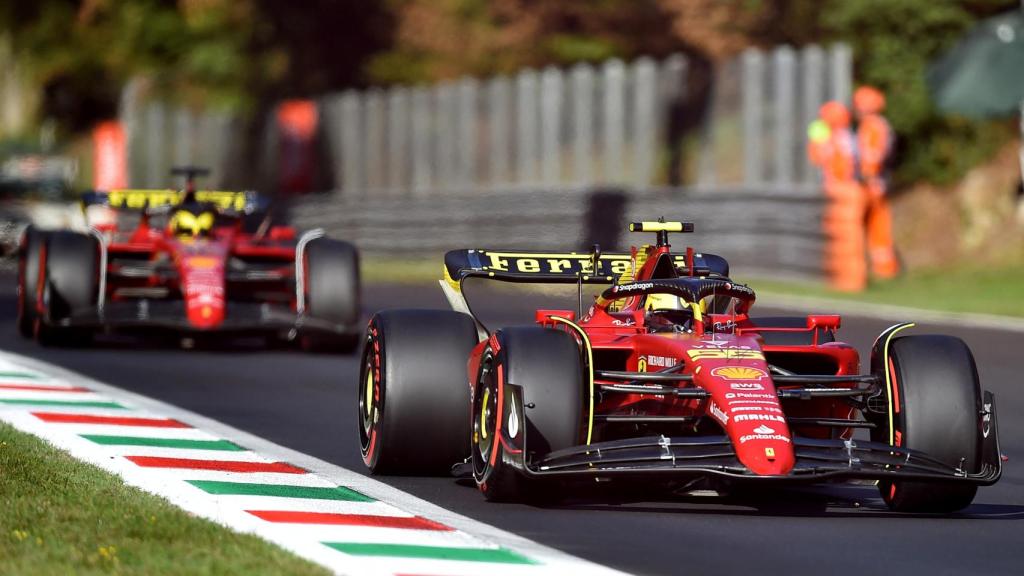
(997, 291)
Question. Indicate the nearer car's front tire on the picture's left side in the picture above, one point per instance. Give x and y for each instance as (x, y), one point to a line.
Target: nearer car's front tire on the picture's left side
(547, 366)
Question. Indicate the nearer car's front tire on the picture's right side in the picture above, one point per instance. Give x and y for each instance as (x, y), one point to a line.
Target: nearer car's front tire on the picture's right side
(935, 384)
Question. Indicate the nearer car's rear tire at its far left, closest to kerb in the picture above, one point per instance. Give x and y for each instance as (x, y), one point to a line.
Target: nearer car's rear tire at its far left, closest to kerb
(414, 392)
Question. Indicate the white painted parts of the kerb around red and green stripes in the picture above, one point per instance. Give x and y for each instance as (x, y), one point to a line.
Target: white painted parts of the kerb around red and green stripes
(231, 510)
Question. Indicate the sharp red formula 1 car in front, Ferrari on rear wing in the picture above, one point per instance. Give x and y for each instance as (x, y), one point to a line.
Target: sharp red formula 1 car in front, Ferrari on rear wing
(667, 378)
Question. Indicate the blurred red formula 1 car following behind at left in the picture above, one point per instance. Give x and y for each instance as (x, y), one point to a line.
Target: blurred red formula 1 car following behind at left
(182, 261)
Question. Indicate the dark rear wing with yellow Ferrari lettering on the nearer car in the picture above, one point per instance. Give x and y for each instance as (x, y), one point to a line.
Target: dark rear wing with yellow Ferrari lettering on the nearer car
(559, 268)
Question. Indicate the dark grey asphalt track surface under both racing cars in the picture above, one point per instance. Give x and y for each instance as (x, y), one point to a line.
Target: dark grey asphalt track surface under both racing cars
(308, 403)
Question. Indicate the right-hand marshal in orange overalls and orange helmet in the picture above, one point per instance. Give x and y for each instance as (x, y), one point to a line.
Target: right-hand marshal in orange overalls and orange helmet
(875, 139)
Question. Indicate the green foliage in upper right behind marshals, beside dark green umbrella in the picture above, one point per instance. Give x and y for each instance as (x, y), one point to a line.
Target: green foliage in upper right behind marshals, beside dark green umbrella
(894, 44)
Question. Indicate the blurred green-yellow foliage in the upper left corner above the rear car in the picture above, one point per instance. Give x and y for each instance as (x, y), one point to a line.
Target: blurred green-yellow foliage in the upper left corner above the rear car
(197, 52)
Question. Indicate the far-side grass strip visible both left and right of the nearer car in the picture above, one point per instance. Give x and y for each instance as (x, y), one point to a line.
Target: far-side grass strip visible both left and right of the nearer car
(997, 290)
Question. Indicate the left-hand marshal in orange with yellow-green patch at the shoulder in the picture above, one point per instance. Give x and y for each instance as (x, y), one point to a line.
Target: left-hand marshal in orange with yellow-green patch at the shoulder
(832, 146)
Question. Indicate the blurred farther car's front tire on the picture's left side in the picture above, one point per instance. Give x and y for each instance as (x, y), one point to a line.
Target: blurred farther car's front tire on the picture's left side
(71, 285)
